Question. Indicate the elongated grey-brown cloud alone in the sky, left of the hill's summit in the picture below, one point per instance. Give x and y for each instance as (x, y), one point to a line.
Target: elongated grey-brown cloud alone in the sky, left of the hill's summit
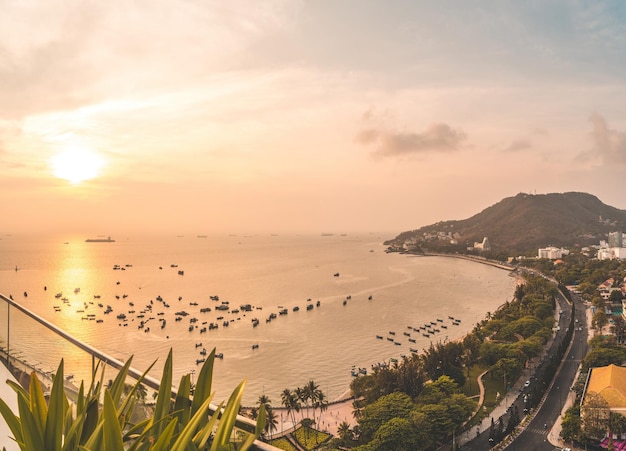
(436, 138)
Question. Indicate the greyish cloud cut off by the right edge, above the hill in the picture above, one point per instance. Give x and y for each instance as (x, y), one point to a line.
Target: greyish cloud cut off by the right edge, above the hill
(608, 145)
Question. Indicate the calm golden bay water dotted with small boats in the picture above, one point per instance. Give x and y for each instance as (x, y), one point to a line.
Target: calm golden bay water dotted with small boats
(363, 294)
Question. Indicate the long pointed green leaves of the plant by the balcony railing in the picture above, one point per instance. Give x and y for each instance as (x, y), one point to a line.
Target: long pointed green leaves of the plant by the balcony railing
(100, 417)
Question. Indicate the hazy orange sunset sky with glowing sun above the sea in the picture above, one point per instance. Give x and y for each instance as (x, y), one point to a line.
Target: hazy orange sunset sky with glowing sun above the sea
(303, 116)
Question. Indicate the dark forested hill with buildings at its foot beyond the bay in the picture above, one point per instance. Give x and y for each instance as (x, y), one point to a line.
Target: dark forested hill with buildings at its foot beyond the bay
(522, 224)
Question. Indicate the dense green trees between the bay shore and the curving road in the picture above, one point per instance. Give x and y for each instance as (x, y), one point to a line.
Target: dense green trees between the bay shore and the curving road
(418, 404)
